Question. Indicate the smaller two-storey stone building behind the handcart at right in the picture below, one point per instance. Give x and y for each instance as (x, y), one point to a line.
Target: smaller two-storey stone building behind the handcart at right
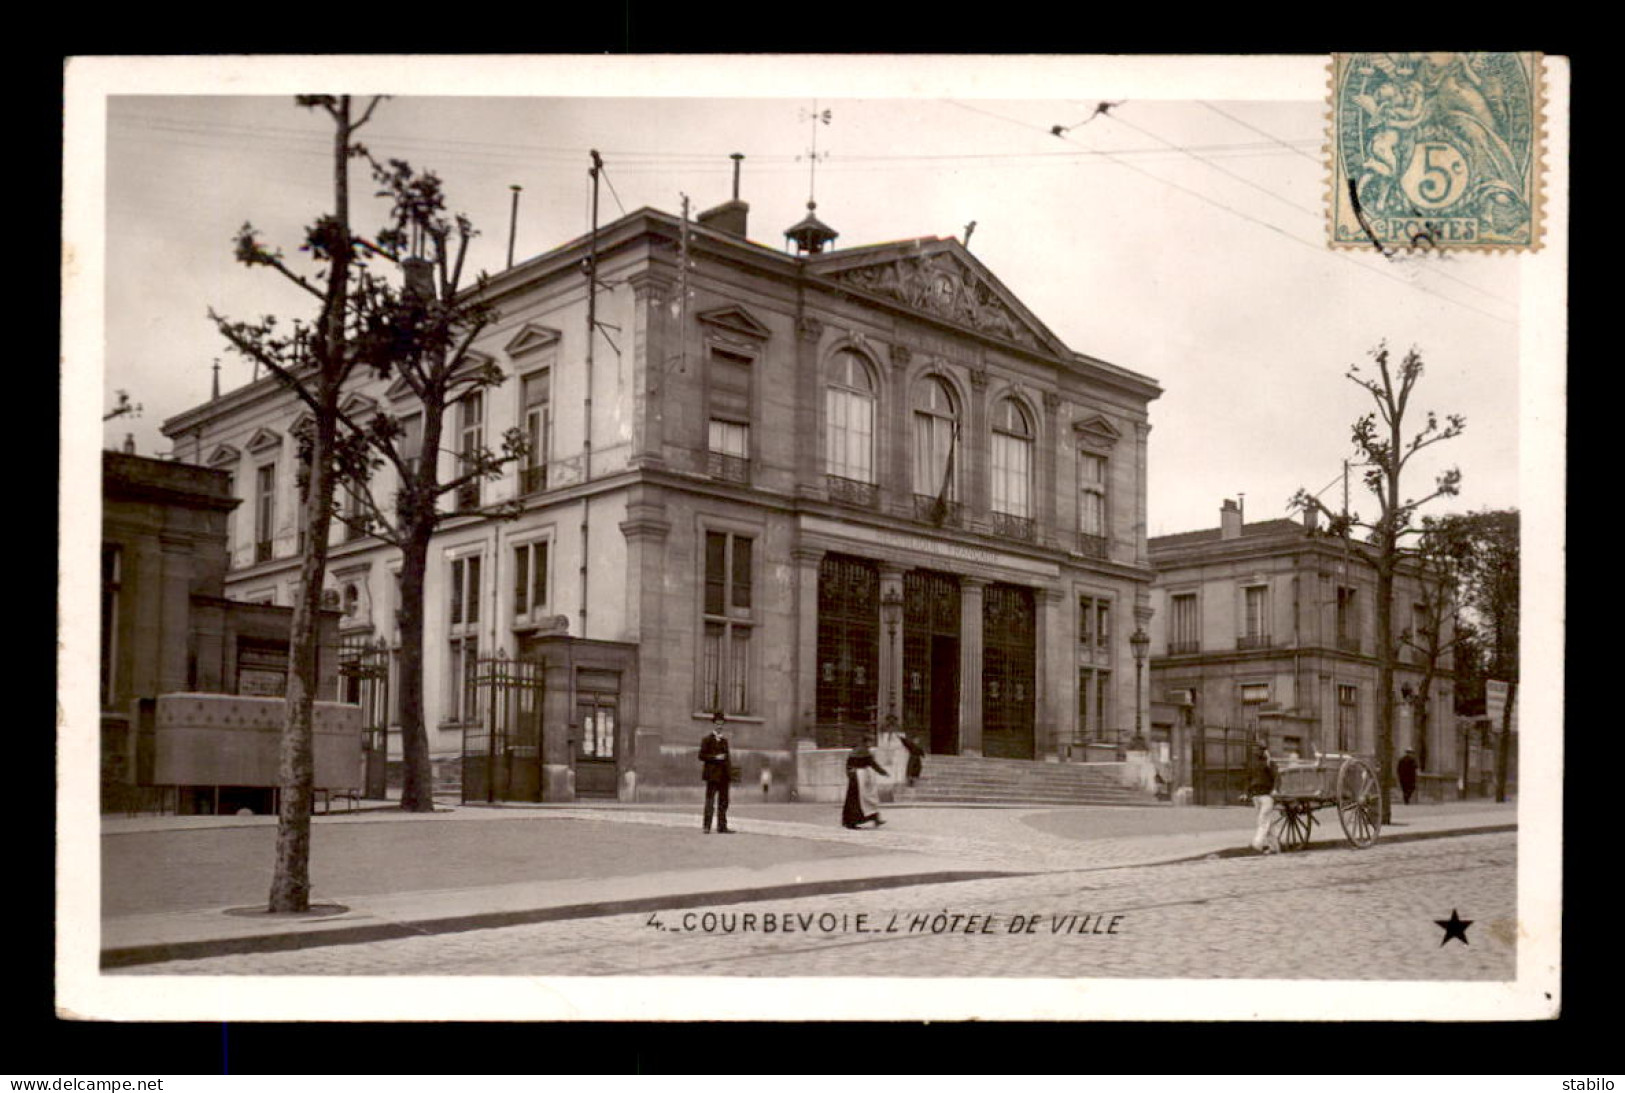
(1268, 631)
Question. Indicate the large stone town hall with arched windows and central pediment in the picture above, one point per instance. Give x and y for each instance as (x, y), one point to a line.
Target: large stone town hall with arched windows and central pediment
(823, 491)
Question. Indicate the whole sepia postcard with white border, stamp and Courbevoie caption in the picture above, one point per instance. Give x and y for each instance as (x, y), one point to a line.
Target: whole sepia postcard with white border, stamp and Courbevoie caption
(813, 538)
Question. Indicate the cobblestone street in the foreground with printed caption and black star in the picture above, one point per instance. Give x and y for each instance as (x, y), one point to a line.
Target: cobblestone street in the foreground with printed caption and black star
(1325, 915)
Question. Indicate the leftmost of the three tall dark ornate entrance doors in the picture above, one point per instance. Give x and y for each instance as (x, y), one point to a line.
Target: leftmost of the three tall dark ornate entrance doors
(849, 629)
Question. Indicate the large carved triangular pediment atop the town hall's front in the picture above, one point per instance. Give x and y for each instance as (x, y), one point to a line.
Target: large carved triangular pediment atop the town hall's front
(942, 280)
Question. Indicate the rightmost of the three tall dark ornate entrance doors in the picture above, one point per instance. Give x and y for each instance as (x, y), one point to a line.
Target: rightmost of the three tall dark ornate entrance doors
(1008, 672)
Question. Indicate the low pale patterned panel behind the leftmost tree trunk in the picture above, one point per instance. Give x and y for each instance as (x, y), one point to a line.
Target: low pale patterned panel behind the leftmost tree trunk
(236, 741)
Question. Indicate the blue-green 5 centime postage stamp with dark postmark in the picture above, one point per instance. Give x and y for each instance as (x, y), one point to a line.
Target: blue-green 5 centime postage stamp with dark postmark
(1436, 152)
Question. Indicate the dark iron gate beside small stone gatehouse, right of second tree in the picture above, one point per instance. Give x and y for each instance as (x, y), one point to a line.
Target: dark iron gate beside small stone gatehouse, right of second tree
(503, 750)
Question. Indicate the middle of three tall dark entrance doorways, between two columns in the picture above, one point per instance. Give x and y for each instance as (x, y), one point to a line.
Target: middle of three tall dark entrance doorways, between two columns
(932, 659)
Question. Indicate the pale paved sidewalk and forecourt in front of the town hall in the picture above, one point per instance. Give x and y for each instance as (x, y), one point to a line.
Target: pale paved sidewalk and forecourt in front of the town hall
(180, 888)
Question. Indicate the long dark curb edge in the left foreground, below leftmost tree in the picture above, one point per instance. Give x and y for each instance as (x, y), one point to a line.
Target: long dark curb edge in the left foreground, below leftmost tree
(165, 953)
